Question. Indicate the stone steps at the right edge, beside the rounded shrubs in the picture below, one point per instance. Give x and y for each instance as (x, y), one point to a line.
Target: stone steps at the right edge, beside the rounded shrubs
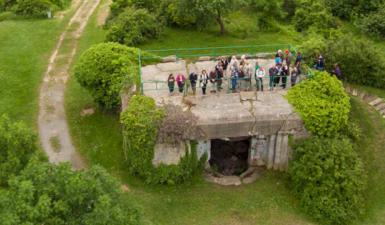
(374, 101)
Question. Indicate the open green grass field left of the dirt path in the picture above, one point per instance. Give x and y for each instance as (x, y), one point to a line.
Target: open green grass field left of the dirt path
(24, 52)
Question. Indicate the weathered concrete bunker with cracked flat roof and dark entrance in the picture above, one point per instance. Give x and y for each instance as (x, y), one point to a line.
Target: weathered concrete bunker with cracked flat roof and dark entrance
(261, 122)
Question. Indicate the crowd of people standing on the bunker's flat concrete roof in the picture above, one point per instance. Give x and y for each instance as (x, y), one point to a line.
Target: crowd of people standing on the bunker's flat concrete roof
(240, 74)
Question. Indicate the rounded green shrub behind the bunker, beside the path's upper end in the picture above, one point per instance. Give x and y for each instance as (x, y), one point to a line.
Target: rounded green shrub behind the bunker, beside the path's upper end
(133, 27)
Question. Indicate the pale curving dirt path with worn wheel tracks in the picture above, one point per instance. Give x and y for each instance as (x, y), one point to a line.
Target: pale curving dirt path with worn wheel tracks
(53, 128)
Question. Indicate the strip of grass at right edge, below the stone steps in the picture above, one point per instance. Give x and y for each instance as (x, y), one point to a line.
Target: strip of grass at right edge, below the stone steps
(371, 147)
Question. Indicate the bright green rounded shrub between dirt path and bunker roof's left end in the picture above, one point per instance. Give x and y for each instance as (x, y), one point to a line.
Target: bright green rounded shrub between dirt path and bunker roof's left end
(104, 69)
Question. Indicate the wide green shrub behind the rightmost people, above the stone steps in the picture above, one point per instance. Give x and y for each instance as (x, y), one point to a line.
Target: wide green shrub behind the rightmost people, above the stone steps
(360, 61)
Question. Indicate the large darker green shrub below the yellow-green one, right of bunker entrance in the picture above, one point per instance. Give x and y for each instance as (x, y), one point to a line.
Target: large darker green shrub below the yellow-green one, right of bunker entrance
(328, 178)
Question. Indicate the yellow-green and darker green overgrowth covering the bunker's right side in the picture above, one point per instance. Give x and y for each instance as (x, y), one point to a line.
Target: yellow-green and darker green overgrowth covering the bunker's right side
(326, 173)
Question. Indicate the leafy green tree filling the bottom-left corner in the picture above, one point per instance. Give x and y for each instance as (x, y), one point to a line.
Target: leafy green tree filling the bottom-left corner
(48, 194)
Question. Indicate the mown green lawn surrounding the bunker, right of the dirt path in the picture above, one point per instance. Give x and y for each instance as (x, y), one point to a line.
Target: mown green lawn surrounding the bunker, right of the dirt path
(268, 201)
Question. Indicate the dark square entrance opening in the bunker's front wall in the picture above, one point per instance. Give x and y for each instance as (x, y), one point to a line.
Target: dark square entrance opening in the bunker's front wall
(230, 157)
